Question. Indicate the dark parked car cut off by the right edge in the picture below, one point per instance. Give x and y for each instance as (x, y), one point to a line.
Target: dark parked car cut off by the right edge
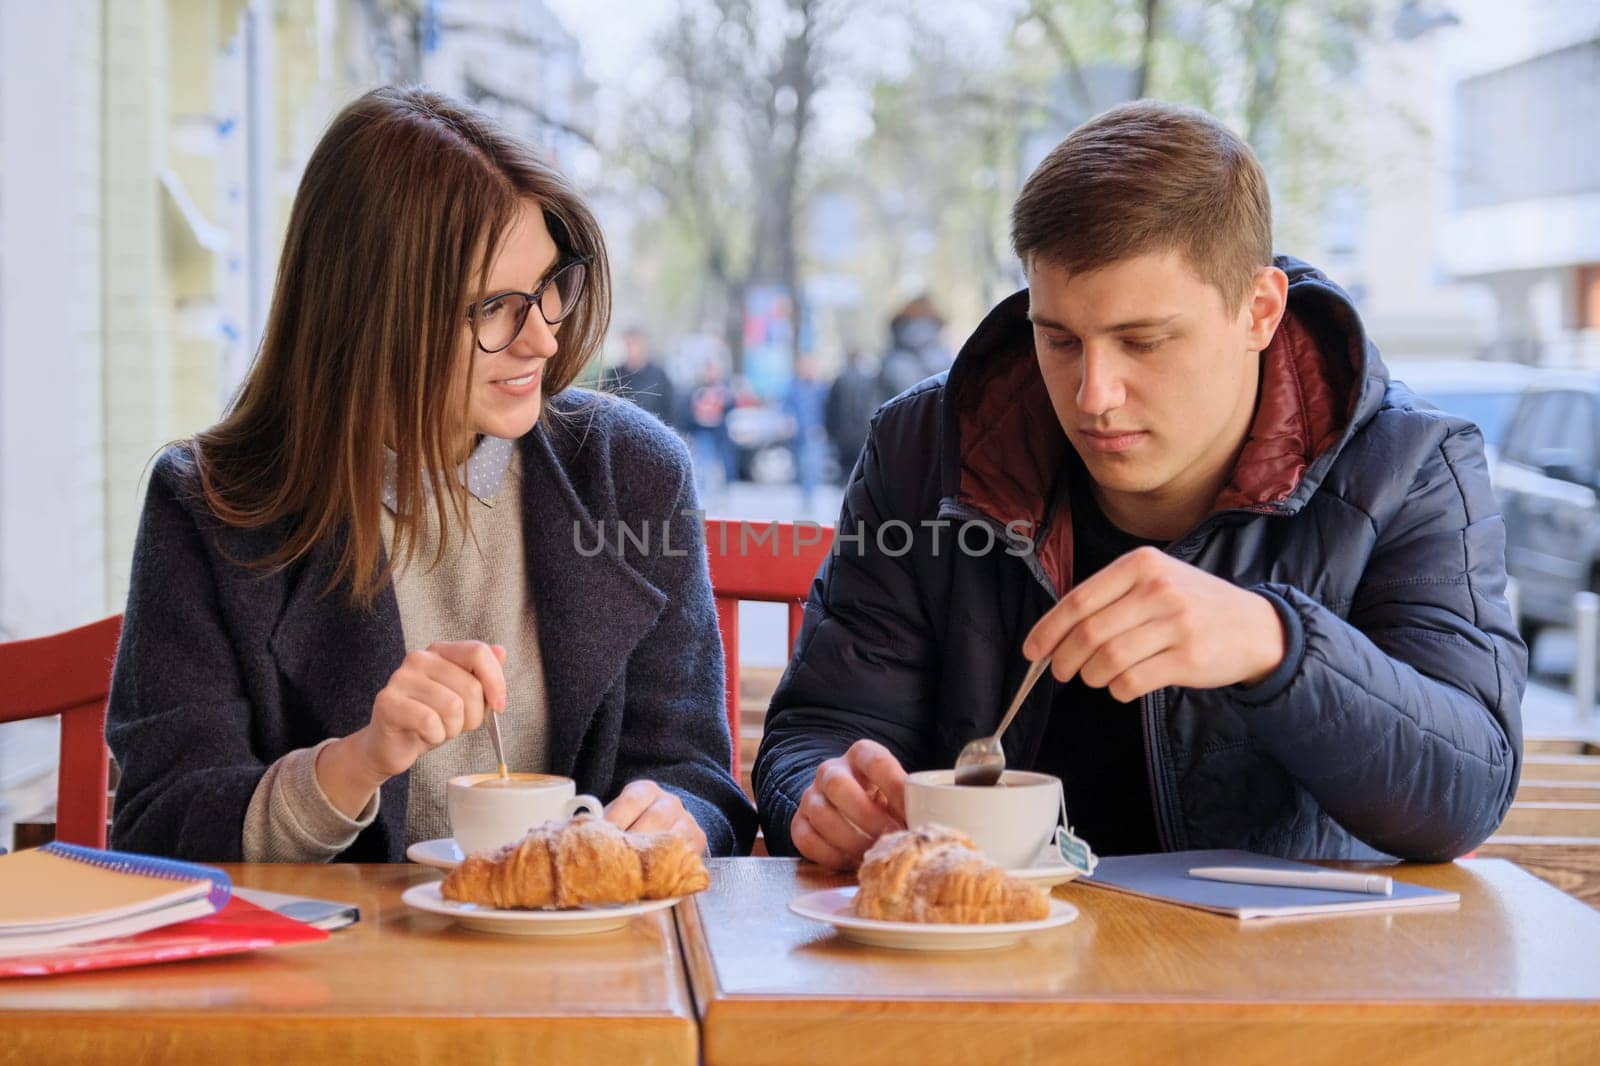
(1548, 479)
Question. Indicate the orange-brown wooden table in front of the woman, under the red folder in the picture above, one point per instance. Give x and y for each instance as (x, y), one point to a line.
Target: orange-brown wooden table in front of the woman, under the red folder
(399, 987)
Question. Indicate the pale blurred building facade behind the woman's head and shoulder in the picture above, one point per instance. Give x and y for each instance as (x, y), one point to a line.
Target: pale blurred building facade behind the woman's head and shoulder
(150, 156)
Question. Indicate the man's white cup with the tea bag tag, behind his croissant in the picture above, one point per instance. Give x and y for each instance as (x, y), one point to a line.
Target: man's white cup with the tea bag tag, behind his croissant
(1010, 822)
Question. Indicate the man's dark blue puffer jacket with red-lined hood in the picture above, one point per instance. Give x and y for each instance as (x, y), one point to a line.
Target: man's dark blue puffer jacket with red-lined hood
(1393, 726)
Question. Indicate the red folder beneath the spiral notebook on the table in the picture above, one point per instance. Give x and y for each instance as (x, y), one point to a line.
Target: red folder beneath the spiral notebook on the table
(238, 928)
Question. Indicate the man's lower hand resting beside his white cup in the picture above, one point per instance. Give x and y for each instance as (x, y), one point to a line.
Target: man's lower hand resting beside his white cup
(854, 801)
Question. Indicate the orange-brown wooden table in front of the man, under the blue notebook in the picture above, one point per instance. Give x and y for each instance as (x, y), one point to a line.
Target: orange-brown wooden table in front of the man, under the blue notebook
(1511, 976)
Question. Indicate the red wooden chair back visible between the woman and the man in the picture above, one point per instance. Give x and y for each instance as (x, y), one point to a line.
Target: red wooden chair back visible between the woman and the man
(770, 563)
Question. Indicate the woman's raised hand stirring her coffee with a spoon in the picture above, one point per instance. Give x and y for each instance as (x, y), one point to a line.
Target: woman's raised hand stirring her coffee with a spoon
(436, 695)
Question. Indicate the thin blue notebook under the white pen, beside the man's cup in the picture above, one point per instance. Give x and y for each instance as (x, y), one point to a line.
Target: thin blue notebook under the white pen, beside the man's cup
(1166, 876)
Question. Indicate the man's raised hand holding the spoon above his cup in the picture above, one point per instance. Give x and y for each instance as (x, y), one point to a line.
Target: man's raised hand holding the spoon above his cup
(1148, 622)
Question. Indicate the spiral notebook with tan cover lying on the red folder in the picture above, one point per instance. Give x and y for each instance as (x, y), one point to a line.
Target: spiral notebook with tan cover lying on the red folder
(63, 896)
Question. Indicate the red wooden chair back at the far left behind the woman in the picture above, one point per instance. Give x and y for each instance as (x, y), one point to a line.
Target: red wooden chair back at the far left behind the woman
(68, 675)
